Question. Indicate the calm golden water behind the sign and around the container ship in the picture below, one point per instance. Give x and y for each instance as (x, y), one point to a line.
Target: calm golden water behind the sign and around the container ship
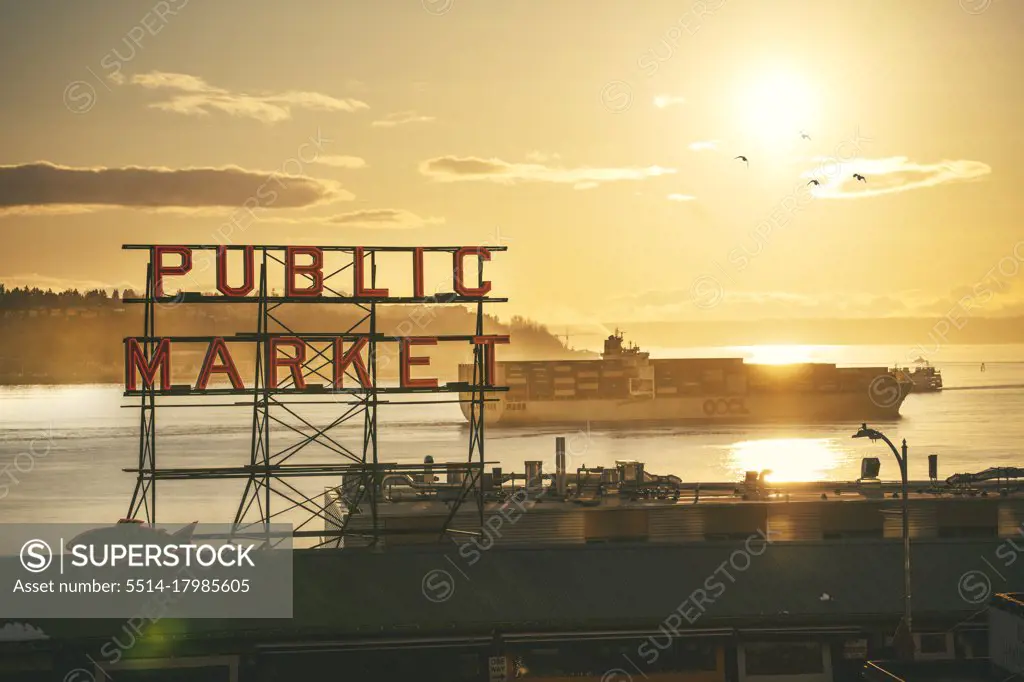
(71, 443)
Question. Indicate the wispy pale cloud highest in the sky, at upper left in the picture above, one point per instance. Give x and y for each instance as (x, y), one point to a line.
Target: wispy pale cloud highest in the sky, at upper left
(194, 97)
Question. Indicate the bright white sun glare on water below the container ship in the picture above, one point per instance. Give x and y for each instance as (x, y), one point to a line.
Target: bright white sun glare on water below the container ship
(788, 459)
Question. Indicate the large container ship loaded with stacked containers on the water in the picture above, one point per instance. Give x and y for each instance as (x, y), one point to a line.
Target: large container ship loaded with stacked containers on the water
(627, 387)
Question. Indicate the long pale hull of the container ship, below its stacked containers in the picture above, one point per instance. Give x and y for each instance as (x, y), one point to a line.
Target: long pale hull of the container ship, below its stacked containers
(796, 408)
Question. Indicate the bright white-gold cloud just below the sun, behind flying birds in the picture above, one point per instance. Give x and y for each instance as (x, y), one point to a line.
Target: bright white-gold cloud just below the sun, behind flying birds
(886, 177)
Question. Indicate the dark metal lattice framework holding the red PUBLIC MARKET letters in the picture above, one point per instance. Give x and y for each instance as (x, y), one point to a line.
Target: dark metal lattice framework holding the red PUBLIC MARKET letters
(269, 472)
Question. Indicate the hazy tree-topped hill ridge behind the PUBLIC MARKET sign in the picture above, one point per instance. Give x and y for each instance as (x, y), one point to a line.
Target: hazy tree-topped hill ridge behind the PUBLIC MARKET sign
(77, 337)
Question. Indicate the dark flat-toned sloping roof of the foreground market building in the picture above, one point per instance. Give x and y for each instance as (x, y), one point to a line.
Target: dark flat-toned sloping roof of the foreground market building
(442, 591)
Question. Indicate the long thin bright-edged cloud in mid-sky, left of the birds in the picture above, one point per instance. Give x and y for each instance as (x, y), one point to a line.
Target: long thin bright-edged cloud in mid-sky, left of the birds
(455, 169)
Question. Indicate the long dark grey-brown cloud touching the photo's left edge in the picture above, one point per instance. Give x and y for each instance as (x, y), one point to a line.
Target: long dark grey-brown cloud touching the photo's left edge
(51, 187)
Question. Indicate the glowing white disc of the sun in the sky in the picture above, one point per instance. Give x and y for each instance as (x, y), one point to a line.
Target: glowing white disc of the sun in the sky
(775, 108)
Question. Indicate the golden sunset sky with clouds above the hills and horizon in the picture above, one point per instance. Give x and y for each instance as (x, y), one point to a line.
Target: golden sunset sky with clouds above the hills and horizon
(595, 139)
